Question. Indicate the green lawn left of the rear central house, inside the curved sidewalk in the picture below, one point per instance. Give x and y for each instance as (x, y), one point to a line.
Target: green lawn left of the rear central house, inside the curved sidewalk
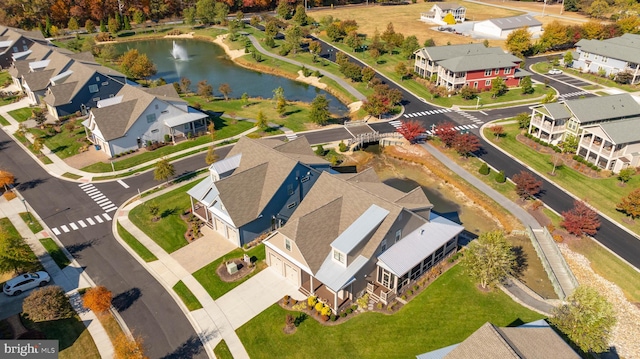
(169, 231)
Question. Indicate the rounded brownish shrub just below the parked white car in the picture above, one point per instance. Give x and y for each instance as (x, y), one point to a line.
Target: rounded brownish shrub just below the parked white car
(48, 303)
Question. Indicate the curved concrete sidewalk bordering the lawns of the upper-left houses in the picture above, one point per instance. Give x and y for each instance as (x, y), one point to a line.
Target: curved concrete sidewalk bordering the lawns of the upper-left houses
(59, 167)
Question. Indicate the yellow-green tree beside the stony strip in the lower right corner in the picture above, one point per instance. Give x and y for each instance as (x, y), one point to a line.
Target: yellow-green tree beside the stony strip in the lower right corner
(587, 319)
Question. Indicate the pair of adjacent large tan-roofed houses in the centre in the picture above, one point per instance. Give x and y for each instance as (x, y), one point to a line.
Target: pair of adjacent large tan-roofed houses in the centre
(335, 236)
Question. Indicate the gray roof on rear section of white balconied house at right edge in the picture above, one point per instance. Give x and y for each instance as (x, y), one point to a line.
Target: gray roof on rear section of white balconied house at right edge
(602, 108)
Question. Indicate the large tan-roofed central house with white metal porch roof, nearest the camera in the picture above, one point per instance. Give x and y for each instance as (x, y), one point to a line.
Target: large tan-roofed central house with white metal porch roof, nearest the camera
(353, 234)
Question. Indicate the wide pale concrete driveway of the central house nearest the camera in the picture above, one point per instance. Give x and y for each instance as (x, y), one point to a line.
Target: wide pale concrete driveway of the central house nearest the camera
(255, 295)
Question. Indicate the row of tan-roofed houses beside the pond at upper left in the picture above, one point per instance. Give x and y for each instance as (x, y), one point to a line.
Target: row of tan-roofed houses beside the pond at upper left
(118, 116)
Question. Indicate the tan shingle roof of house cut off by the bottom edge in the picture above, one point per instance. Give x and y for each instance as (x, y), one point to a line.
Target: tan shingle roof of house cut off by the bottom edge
(535, 340)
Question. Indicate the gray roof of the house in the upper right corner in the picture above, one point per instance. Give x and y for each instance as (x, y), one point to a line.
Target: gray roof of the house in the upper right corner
(626, 47)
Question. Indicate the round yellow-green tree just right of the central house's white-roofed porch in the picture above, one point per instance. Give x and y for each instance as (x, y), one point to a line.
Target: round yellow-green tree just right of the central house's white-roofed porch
(489, 259)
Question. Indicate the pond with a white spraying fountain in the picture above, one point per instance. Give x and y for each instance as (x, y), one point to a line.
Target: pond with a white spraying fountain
(207, 61)
